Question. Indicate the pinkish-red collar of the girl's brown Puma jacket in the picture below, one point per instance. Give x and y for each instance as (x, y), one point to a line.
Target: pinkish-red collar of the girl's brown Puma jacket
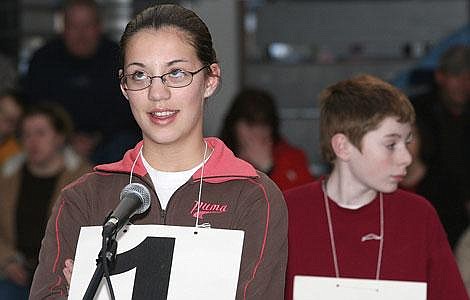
(222, 165)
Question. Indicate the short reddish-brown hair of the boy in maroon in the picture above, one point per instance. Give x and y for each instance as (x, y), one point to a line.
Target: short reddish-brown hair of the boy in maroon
(356, 106)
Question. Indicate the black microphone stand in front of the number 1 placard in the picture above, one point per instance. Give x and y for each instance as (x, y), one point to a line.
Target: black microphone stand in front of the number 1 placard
(107, 255)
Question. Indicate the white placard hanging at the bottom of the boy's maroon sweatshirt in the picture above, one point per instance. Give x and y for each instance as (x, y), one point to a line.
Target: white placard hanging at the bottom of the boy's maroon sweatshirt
(331, 288)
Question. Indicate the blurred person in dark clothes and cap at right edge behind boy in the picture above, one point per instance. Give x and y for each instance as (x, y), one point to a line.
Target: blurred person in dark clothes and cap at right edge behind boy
(443, 121)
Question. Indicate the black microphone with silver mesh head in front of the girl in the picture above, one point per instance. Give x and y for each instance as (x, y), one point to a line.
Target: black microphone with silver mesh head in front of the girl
(135, 199)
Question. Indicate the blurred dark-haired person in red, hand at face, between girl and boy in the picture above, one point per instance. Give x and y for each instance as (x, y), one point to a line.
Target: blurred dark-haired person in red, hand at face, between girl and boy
(251, 130)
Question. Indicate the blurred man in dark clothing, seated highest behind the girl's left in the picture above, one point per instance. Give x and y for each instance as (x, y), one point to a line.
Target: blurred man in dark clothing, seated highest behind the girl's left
(78, 69)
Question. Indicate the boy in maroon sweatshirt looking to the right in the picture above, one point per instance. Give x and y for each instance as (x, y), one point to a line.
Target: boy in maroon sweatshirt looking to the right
(355, 223)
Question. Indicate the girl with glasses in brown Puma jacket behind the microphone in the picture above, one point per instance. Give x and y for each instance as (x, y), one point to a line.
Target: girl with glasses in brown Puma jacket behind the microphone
(188, 175)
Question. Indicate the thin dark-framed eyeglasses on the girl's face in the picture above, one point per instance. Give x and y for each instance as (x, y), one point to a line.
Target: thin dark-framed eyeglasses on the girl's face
(177, 78)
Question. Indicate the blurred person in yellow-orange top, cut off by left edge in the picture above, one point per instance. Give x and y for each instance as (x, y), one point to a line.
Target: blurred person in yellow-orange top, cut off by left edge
(10, 113)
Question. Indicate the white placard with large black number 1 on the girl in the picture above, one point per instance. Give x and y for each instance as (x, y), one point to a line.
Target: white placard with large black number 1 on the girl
(162, 262)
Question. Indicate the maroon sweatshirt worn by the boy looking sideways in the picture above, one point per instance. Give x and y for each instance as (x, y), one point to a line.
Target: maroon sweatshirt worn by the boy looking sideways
(415, 247)
